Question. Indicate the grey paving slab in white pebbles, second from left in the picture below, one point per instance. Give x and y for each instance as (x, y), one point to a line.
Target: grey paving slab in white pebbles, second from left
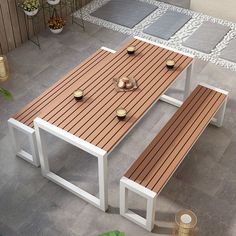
(167, 25)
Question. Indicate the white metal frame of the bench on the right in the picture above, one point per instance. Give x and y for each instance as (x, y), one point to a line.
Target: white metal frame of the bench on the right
(151, 197)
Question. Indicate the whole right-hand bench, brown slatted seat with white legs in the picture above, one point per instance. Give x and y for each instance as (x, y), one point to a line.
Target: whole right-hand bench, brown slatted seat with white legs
(151, 171)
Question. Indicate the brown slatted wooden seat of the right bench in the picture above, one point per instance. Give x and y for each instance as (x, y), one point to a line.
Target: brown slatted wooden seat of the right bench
(167, 150)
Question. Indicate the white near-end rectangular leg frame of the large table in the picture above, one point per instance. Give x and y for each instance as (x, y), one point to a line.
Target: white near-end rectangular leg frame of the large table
(41, 127)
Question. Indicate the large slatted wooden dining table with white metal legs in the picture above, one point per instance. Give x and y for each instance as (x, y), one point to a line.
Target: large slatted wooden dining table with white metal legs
(91, 123)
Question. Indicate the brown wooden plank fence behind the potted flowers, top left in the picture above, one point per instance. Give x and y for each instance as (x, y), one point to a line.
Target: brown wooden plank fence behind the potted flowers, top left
(13, 23)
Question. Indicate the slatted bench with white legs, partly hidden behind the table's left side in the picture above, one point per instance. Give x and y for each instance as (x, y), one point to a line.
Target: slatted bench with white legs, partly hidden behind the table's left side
(23, 120)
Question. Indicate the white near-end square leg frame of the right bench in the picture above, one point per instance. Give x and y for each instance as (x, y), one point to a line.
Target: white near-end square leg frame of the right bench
(127, 184)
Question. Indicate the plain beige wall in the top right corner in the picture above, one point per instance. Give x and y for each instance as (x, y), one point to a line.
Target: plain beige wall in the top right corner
(224, 9)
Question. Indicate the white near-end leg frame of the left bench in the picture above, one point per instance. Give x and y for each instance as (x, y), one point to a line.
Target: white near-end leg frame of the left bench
(31, 157)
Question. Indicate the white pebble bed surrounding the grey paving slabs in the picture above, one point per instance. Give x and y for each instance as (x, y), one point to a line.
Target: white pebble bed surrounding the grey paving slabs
(176, 40)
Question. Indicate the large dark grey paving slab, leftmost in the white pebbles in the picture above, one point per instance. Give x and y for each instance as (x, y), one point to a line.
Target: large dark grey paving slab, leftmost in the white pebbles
(124, 12)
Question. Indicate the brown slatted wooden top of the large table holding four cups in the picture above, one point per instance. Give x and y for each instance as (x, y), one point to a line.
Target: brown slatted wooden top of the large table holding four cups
(94, 118)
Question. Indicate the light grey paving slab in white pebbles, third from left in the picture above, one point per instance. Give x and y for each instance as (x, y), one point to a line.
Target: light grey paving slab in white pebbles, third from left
(206, 37)
